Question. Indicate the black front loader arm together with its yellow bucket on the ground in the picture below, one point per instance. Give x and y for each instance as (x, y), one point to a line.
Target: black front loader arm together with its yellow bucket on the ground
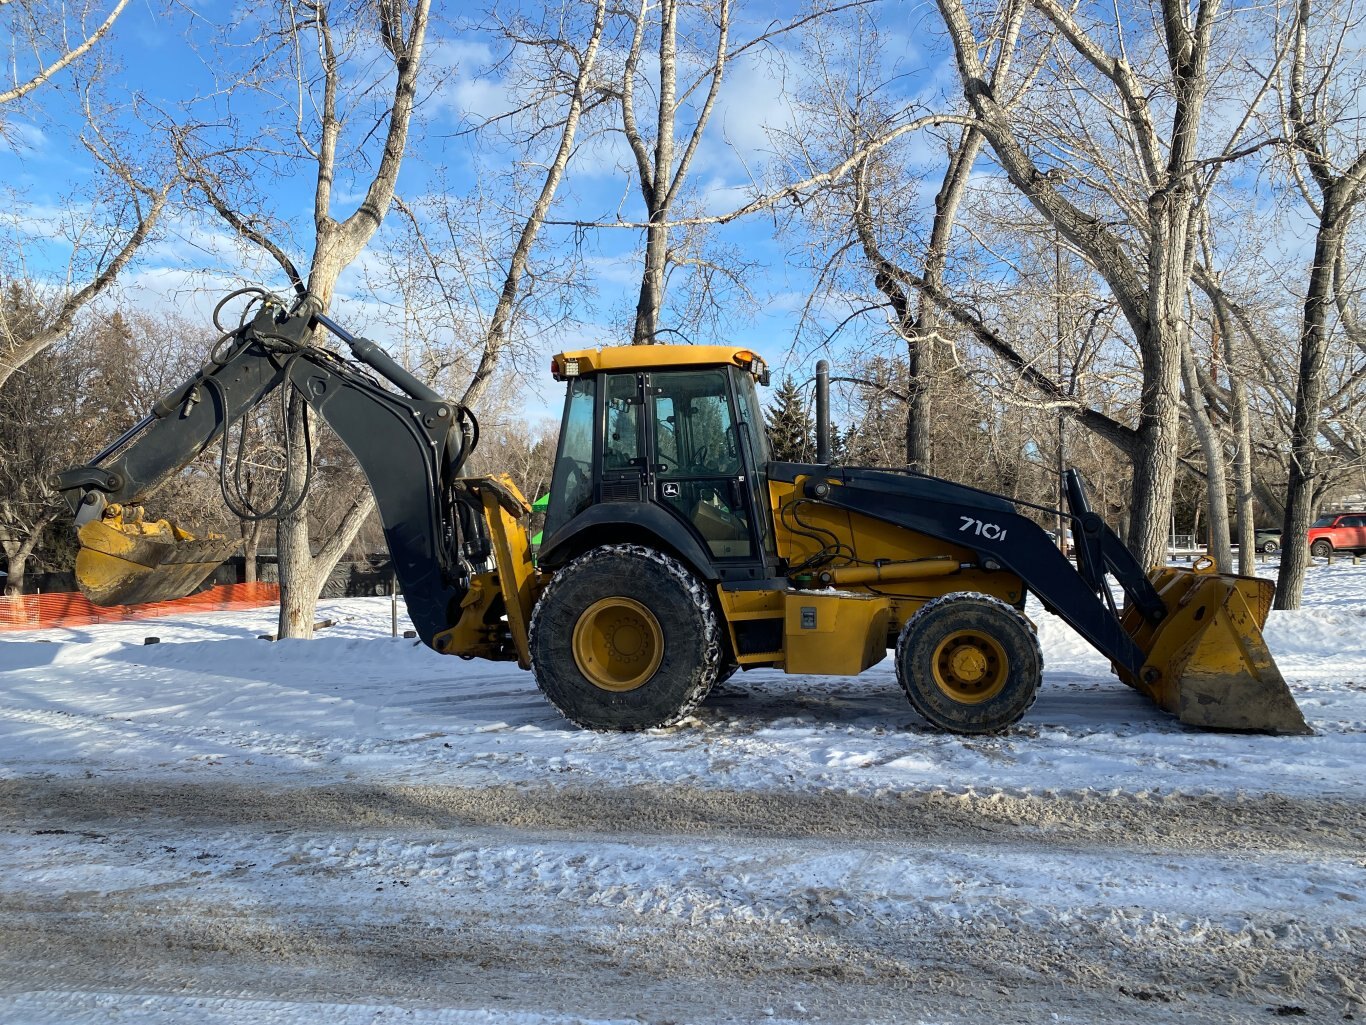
(1190, 640)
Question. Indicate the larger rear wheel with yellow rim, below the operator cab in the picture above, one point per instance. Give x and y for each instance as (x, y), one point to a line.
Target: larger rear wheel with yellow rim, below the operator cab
(625, 639)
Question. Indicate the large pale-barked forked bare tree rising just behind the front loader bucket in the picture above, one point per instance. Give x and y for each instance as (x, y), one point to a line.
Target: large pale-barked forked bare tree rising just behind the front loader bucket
(1148, 262)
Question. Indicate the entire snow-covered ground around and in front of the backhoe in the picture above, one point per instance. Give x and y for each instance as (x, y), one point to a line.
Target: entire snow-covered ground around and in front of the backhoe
(354, 829)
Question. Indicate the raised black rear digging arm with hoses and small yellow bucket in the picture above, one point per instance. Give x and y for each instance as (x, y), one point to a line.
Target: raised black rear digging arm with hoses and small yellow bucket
(410, 443)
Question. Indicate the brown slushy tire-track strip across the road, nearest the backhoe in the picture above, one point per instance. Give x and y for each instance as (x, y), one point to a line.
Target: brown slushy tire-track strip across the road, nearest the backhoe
(1170, 822)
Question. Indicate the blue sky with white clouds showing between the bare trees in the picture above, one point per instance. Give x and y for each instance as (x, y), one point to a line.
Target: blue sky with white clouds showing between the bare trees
(170, 57)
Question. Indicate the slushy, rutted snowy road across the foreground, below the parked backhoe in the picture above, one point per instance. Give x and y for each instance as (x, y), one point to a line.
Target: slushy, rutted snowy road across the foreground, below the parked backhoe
(721, 910)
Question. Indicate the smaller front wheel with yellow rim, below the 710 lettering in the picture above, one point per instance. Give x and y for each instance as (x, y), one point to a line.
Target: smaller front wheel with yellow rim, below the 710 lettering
(969, 664)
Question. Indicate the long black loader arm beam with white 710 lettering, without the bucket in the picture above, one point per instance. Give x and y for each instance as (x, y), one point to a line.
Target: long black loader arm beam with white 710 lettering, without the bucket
(992, 527)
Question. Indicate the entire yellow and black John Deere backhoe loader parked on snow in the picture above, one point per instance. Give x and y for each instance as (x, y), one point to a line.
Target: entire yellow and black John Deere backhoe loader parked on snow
(678, 551)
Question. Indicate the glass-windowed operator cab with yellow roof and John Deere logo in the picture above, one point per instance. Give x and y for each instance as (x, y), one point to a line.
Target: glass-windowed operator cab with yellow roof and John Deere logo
(677, 428)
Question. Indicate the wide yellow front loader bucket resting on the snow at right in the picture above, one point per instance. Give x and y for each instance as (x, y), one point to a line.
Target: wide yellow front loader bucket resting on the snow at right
(1207, 661)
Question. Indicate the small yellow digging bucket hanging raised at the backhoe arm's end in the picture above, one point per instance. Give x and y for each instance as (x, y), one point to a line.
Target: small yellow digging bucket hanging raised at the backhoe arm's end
(125, 561)
